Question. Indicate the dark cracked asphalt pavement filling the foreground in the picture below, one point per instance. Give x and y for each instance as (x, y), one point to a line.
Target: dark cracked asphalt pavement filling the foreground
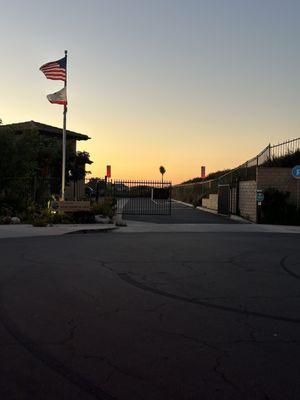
(150, 316)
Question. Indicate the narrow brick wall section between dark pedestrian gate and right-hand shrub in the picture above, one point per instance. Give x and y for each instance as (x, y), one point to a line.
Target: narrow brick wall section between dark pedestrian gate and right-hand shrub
(247, 200)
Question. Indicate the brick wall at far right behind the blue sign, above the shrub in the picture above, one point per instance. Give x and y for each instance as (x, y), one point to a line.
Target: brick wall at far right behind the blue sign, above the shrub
(278, 178)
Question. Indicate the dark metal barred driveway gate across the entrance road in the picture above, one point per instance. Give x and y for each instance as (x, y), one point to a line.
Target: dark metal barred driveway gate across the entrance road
(139, 197)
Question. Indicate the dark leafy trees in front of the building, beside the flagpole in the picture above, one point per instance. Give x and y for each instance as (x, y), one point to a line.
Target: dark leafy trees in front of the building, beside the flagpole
(30, 167)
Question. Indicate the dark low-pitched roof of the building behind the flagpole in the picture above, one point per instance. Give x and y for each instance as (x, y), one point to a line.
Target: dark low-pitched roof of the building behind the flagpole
(45, 129)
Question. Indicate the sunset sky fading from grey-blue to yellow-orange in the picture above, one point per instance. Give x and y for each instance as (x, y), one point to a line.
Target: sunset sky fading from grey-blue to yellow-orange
(158, 82)
